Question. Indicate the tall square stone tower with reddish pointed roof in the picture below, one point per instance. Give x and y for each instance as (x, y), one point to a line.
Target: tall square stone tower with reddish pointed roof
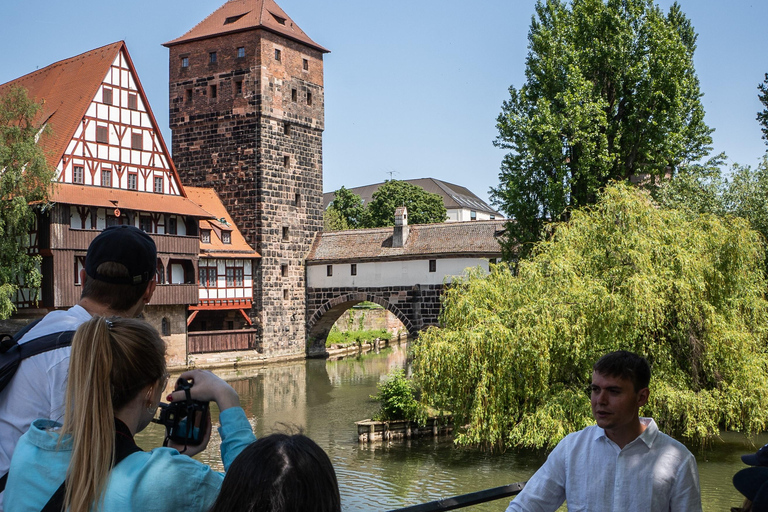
(247, 118)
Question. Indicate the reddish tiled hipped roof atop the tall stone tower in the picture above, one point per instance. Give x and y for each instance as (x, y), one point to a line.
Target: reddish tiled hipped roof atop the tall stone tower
(242, 15)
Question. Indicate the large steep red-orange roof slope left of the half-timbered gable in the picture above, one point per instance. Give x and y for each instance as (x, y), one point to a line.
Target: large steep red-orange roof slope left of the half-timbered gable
(66, 89)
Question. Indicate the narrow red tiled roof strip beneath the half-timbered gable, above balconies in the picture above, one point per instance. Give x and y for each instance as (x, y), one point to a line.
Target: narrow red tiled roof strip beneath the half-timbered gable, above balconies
(103, 197)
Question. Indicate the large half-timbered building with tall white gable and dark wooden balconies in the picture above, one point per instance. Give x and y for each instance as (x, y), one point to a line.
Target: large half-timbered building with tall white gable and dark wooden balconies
(112, 167)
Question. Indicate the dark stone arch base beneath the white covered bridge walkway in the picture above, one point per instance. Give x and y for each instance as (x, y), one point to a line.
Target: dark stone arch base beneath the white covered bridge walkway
(417, 307)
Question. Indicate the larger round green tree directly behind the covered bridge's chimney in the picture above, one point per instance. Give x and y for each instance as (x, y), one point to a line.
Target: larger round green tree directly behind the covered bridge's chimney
(423, 207)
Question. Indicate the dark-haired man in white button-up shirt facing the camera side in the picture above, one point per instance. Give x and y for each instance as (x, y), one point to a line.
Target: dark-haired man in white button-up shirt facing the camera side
(622, 464)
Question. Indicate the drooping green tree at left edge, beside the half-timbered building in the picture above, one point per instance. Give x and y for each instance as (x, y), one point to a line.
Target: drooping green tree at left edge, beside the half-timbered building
(24, 179)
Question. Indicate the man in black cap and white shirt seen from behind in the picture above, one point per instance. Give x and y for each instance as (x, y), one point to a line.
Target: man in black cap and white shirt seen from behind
(118, 280)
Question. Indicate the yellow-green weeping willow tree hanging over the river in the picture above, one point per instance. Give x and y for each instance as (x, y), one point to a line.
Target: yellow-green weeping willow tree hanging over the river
(514, 356)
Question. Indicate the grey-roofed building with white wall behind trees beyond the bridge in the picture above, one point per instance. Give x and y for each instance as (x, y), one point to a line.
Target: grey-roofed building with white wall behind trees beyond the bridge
(461, 204)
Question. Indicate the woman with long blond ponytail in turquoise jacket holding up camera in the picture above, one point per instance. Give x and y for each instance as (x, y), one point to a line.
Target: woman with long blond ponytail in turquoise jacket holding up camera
(117, 374)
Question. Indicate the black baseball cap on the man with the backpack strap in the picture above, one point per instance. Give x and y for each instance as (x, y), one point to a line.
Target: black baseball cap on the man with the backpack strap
(127, 245)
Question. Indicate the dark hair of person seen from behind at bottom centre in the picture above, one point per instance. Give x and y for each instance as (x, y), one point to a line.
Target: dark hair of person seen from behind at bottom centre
(280, 473)
